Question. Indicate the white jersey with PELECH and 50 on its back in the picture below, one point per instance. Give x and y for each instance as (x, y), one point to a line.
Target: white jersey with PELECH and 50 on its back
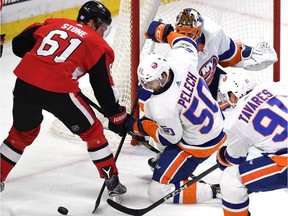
(185, 109)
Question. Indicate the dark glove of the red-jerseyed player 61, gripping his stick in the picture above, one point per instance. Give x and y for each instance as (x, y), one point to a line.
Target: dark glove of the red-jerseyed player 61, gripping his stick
(117, 122)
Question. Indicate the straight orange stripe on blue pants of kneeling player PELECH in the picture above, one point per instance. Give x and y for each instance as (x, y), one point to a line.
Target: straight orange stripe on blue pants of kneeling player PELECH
(174, 167)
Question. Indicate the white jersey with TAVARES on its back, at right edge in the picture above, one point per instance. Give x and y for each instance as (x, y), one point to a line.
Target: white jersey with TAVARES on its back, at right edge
(260, 119)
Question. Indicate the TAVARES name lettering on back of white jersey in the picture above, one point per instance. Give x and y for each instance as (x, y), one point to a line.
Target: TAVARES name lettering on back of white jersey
(253, 104)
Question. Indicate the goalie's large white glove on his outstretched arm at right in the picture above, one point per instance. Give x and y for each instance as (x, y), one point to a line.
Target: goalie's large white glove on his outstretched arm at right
(257, 58)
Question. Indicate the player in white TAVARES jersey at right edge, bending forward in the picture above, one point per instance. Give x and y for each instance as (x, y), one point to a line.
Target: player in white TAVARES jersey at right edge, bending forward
(260, 119)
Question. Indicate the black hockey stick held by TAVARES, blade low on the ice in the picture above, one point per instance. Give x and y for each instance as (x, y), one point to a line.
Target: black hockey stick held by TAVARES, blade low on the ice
(143, 211)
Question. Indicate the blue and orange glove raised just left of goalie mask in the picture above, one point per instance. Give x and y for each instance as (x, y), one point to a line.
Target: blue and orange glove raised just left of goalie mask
(158, 31)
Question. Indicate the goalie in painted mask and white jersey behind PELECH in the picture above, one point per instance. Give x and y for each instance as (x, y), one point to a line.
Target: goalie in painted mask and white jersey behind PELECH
(216, 47)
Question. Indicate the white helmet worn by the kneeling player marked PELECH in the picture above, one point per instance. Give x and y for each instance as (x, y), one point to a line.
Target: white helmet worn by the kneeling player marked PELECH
(151, 68)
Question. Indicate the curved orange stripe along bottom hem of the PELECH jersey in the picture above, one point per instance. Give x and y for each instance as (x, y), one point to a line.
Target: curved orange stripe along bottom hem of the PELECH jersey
(202, 152)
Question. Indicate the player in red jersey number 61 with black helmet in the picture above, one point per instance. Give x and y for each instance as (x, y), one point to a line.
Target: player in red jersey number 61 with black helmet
(55, 54)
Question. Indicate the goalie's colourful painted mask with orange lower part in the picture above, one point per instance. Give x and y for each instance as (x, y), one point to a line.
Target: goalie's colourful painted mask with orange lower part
(190, 23)
